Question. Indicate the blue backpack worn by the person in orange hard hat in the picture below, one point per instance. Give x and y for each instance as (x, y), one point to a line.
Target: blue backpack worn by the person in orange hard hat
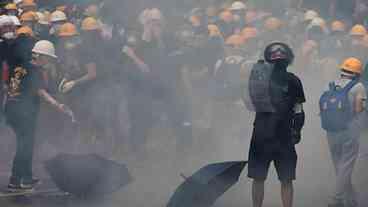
(335, 107)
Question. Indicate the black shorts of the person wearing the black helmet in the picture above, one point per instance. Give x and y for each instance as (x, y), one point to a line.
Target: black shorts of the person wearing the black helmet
(261, 156)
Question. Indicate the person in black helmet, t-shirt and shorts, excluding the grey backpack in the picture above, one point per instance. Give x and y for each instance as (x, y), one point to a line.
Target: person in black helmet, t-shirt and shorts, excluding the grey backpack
(283, 123)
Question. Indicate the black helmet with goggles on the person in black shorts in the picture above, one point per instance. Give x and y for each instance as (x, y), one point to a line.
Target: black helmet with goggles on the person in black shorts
(278, 51)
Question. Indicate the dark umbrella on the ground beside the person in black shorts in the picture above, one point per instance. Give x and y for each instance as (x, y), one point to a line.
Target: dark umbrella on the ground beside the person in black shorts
(204, 187)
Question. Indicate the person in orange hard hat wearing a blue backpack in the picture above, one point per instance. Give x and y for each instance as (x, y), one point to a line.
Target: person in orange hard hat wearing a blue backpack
(341, 119)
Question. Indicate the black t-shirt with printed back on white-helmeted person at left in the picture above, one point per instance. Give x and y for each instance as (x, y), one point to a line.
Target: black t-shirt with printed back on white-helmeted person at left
(24, 83)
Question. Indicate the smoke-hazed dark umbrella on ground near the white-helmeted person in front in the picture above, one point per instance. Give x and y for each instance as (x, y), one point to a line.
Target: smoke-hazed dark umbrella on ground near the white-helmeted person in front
(87, 175)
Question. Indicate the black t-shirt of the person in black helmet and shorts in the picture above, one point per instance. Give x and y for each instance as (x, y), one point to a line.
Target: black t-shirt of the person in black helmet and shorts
(271, 127)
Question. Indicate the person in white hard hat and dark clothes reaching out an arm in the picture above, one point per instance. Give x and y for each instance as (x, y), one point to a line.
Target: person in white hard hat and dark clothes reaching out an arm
(25, 88)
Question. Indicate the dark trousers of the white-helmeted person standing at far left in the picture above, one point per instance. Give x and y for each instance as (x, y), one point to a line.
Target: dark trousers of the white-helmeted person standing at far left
(23, 124)
